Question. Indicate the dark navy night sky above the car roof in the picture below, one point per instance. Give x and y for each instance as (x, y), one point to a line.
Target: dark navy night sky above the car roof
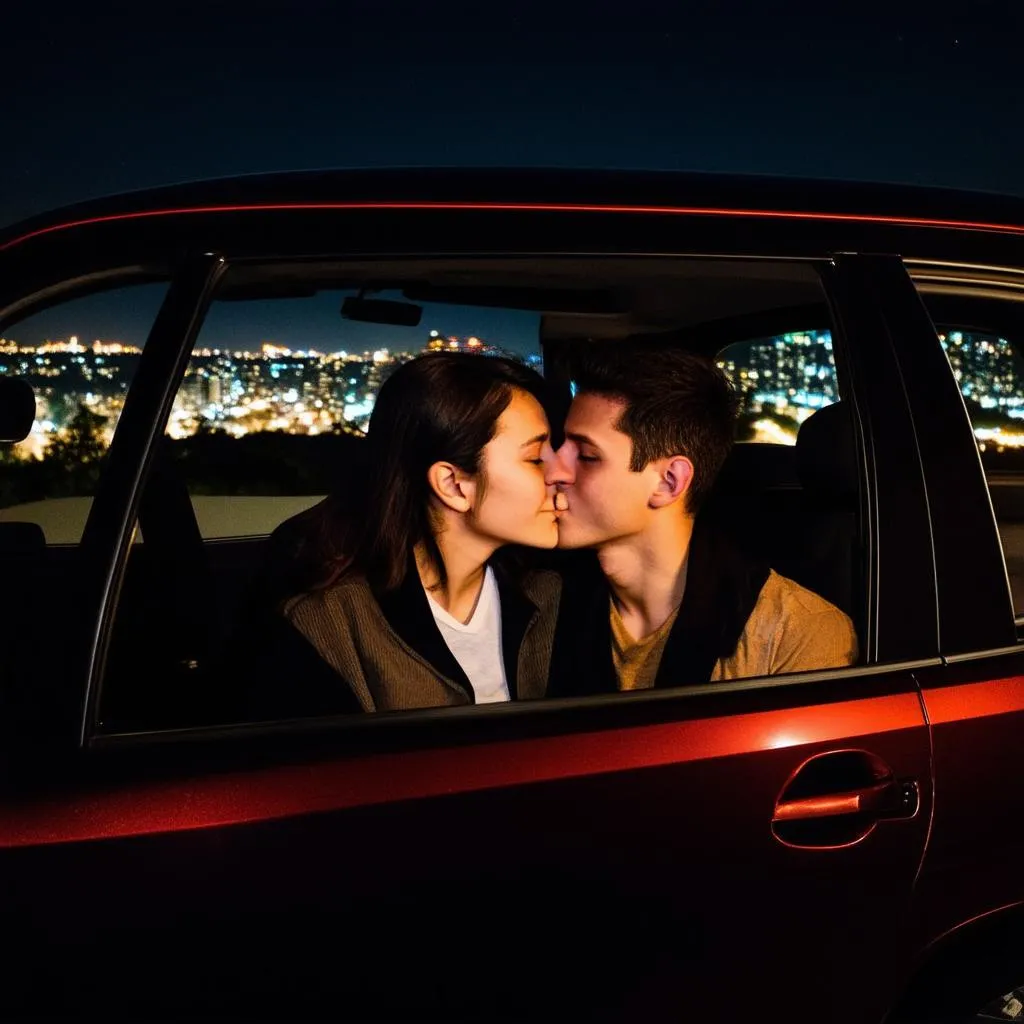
(105, 98)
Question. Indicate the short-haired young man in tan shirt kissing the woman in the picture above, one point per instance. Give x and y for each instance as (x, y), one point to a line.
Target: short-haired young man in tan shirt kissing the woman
(668, 602)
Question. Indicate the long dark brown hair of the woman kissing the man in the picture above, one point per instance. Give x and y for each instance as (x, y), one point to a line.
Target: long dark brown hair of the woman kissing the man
(440, 407)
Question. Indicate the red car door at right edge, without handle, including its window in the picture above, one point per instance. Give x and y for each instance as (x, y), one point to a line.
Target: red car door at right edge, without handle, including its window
(969, 899)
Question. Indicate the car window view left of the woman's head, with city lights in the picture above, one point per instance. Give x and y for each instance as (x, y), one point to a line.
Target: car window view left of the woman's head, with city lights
(278, 395)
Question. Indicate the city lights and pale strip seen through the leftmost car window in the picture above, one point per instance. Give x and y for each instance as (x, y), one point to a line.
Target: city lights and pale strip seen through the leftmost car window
(80, 358)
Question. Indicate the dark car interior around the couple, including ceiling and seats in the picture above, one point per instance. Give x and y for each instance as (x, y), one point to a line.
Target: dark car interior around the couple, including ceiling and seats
(196, 634)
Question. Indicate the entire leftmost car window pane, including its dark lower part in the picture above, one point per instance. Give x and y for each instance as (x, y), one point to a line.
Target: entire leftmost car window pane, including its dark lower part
(80, 358)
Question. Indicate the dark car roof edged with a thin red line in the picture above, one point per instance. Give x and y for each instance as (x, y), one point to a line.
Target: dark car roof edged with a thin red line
(543, 189)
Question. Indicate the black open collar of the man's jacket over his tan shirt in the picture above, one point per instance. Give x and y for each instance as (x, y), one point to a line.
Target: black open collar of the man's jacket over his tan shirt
(722, 587)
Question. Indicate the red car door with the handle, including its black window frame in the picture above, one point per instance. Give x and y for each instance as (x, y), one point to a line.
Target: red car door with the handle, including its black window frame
(743, 850)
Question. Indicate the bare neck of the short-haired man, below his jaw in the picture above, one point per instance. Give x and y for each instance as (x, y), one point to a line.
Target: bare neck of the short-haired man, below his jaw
(648, 574)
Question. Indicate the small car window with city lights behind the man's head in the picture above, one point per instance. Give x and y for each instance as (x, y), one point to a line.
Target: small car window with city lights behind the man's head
(781, 381)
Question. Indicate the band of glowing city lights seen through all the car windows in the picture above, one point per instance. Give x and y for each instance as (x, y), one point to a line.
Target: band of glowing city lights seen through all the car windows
(271, 388)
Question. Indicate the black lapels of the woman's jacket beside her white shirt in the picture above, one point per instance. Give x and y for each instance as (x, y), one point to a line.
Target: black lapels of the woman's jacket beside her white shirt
(407, 610)
